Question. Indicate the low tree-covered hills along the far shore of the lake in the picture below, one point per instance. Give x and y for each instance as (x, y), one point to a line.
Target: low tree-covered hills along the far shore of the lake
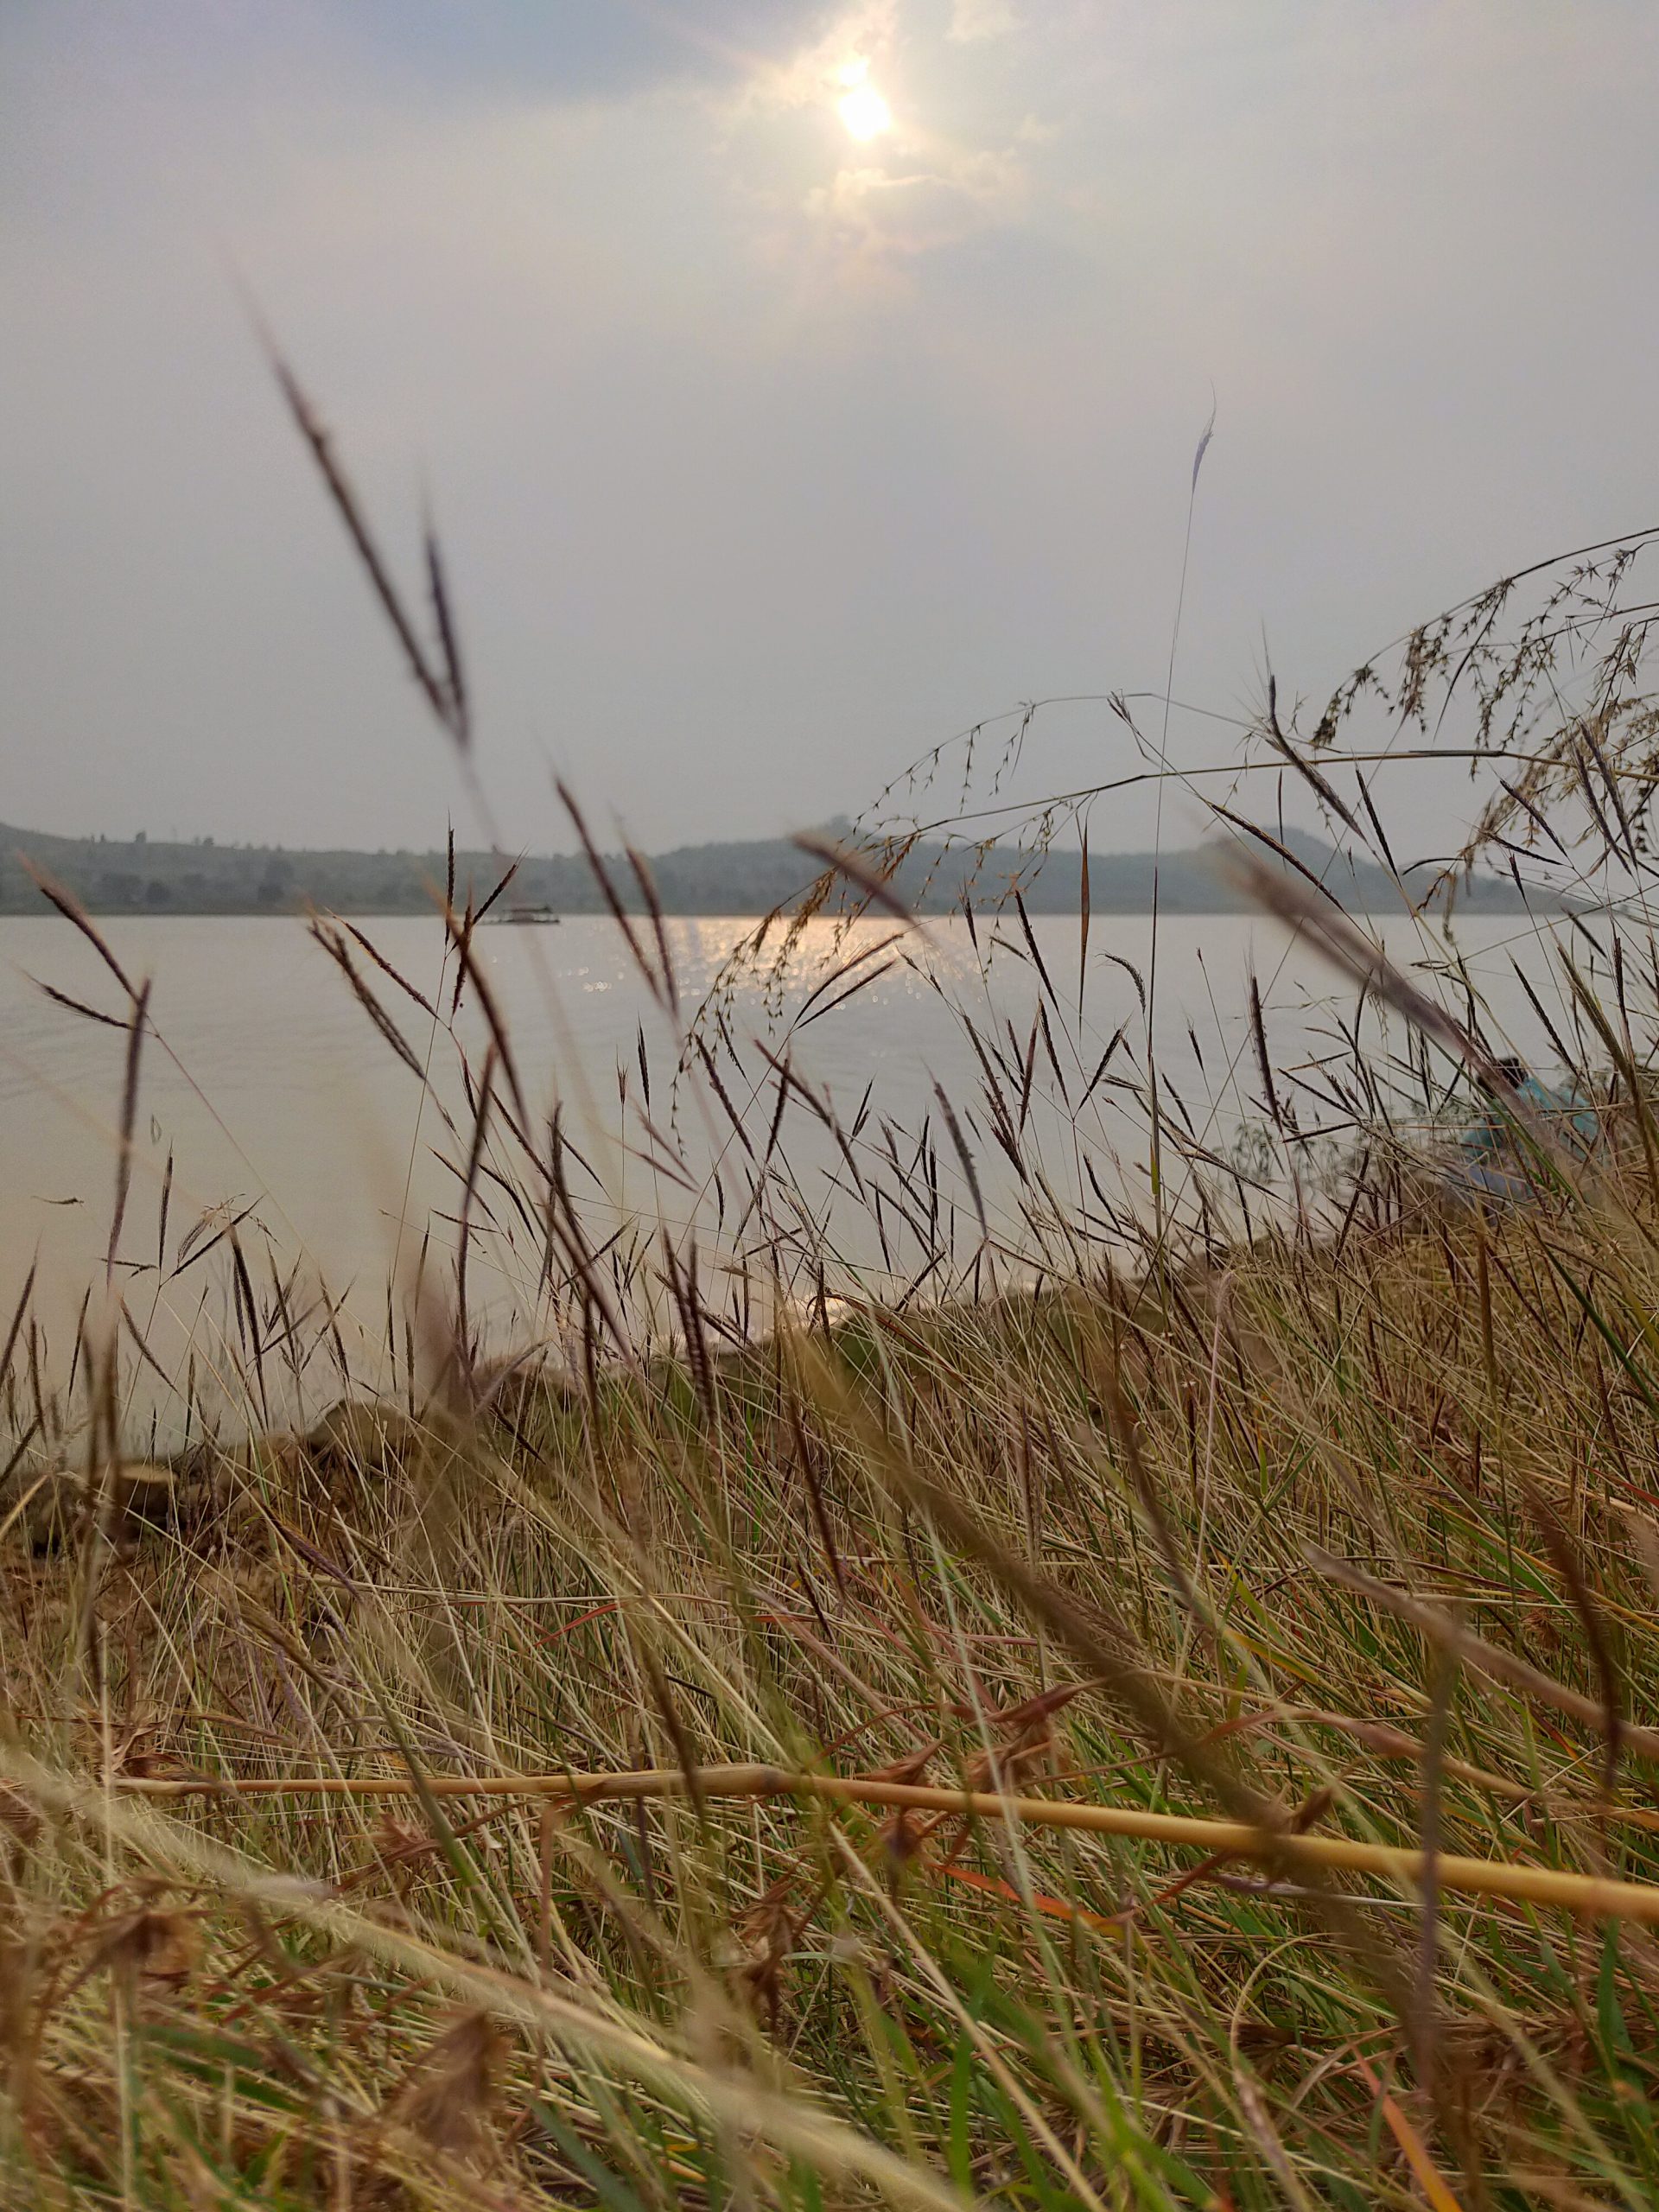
(140, 877)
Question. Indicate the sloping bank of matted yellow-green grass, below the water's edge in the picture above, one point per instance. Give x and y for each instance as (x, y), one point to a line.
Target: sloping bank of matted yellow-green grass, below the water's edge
(1348, 1536)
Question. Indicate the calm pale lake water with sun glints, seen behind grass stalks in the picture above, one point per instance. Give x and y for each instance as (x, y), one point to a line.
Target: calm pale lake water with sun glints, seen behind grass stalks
(273, 1094)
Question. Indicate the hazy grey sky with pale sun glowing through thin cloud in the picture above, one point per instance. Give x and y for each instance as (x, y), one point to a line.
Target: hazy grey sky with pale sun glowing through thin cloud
(769, 455)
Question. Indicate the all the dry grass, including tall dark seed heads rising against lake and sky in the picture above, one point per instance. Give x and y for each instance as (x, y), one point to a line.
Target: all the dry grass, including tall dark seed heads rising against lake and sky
(1322, 1519)
